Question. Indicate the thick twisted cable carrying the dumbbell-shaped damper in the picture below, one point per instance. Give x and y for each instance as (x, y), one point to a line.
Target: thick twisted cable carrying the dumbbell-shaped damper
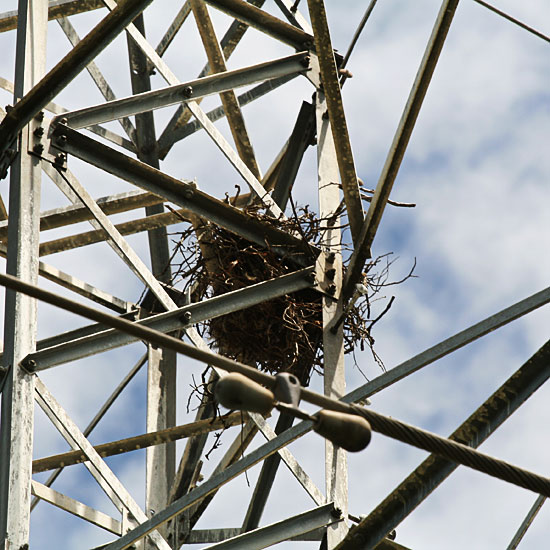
(451, 450)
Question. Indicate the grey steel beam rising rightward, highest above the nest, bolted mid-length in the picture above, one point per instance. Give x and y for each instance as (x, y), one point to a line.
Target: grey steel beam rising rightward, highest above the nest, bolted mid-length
(187, 91)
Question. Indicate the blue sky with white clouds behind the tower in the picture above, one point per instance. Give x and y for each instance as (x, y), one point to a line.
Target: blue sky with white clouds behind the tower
(477, 169)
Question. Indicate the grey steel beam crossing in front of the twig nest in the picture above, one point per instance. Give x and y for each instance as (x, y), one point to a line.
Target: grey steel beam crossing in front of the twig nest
(173, 320)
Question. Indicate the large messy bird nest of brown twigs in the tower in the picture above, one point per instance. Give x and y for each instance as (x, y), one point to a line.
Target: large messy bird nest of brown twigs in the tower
(283, 334)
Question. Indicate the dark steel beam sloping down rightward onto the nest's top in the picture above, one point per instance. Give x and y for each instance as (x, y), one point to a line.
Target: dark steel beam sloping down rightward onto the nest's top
(184, 194)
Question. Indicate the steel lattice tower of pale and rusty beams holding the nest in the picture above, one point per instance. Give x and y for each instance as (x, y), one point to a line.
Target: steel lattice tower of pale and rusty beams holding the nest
(39, 142)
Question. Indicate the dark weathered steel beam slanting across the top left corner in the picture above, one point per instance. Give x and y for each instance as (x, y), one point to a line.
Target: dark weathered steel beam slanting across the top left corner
(62, 74)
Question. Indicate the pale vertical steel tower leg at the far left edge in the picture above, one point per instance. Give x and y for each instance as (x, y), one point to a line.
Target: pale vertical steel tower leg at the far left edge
(20, 312)
